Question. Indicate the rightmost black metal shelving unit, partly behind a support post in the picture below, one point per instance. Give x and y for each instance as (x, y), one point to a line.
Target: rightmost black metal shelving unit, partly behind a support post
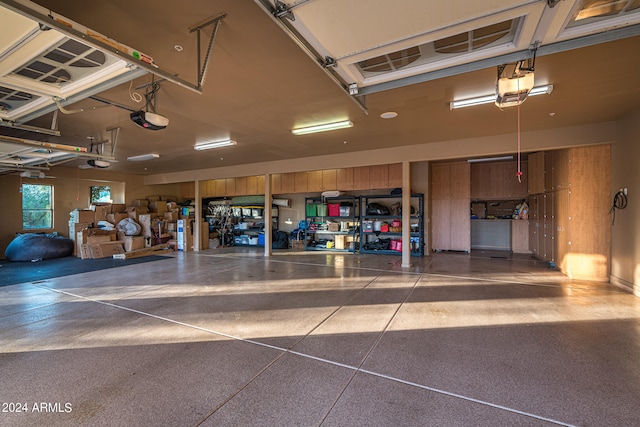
(372, 241)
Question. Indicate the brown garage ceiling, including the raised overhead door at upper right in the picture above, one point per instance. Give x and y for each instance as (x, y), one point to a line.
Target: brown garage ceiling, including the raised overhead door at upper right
(268, 74)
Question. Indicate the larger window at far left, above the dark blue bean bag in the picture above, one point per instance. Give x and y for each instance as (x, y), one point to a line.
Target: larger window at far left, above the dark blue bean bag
(37, 206)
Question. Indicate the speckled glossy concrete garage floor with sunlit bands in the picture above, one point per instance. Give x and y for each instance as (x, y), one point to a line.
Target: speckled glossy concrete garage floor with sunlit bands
(227, 337)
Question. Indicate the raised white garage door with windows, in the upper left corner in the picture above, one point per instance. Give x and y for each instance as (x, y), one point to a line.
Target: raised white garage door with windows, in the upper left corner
(39, 64)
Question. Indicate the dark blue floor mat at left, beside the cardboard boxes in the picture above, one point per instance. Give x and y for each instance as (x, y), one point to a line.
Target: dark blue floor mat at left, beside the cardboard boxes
(12, 273)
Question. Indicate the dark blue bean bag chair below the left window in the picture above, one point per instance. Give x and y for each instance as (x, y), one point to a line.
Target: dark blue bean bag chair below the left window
(36, 247)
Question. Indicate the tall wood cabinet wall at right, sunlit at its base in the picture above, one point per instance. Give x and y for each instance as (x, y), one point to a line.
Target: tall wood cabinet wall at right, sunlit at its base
(570, 223)
